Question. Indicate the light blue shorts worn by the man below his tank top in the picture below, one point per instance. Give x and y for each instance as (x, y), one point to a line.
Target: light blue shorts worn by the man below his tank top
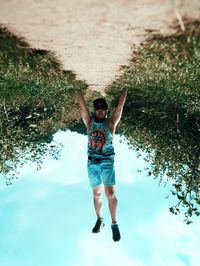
(102, 171)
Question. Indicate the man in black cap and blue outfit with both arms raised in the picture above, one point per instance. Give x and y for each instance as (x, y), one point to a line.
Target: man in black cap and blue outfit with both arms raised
(100, 129)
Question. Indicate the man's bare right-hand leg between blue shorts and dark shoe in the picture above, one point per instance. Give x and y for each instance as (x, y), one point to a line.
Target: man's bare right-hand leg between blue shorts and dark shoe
(112, 202)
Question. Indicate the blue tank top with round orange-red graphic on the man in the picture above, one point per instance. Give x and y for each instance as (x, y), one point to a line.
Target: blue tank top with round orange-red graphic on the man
(100, 140)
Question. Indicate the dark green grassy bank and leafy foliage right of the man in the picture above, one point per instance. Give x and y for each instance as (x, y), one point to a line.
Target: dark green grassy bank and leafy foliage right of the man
(162, 112)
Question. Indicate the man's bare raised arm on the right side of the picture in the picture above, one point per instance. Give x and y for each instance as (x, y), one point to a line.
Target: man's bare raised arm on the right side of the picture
(118, 111)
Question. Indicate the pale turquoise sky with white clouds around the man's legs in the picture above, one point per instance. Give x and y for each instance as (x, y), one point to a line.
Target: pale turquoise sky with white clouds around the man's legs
(47, 216)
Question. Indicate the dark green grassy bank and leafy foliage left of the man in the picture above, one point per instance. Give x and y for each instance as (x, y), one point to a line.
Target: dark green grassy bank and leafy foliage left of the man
(37, 98)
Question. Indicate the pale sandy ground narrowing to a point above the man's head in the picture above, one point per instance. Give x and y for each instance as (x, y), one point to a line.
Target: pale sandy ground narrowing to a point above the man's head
(93, 38)
